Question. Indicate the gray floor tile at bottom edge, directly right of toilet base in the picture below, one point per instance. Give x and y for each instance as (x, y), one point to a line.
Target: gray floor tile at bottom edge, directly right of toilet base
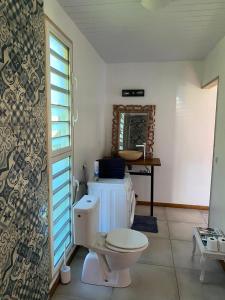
(149, 282)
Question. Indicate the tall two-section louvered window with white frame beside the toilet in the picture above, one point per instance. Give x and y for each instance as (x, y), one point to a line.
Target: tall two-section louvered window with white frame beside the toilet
(59, 96)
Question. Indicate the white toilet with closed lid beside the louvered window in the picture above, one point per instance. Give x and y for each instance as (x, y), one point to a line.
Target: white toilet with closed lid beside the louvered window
(110, 254)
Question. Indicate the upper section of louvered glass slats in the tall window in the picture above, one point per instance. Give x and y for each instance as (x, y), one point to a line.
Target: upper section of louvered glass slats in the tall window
(60, 93)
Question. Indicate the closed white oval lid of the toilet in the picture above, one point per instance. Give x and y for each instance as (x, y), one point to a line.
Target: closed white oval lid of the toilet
(126, 239)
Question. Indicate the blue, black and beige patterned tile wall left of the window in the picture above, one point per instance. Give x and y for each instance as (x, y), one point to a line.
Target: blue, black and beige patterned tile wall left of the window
(24, 255)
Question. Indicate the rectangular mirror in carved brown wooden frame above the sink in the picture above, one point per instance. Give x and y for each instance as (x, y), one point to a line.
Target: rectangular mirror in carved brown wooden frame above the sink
(133, 125)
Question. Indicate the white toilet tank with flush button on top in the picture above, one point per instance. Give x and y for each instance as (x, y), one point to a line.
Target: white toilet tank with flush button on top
(85, 220)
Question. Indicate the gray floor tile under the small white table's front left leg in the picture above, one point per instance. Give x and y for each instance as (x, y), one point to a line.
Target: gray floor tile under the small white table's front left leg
(182, 255)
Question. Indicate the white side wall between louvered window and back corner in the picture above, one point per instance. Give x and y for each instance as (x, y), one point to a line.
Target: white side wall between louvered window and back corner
(90, 96)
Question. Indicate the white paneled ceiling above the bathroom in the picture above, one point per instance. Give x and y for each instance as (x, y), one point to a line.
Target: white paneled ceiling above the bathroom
(123, 31)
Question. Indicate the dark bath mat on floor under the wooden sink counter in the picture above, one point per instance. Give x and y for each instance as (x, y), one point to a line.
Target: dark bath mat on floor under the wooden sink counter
(145, 223)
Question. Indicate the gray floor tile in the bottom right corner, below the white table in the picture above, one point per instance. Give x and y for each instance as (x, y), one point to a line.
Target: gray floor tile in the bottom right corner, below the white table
(190, 287)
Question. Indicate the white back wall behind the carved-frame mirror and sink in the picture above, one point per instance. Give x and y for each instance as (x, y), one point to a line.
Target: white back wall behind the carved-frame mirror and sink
(184, 126)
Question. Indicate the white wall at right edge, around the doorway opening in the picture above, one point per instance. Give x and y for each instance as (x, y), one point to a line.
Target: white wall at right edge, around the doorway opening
(215, 66)
